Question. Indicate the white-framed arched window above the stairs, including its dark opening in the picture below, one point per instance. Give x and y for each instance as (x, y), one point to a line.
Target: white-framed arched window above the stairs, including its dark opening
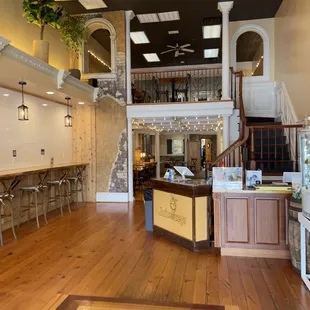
(247, 41)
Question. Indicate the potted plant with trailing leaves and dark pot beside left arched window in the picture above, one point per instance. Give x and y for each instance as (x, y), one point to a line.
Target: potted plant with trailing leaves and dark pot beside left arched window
(73, 33)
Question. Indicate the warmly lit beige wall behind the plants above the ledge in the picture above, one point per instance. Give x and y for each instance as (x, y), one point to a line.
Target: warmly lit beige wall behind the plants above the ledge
(15, 28)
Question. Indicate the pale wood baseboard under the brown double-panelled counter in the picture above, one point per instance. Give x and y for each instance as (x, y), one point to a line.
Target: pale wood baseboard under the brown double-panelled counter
(282, 254)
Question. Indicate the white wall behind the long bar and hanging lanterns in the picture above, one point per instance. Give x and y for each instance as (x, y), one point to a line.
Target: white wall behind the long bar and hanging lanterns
(44, 130)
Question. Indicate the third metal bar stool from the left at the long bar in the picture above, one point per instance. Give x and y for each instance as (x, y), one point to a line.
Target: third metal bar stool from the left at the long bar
(62, 191)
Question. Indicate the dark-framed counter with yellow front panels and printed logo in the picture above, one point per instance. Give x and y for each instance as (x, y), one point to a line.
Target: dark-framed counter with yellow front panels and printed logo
(181, 212)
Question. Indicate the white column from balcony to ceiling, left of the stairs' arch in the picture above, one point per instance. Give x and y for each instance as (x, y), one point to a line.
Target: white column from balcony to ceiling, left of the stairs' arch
(225, 8)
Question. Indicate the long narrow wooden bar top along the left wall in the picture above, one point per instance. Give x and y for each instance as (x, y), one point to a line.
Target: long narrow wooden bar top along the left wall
(36, 169)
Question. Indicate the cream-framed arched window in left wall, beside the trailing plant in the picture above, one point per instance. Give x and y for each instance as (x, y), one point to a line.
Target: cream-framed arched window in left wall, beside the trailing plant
(99, 53)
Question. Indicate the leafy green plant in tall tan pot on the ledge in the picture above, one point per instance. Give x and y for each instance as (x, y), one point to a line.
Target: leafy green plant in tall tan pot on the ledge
(42, 13)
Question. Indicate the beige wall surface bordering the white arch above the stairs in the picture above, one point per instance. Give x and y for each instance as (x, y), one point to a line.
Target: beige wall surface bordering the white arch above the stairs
(268, 25)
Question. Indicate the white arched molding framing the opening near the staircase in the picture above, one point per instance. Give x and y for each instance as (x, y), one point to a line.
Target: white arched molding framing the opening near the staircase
(265, 36)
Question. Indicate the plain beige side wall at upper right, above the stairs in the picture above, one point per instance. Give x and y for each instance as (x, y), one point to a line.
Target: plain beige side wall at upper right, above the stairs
(292, 46)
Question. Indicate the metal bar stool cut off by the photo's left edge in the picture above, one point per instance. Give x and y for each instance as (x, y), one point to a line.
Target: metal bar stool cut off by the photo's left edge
(7, 195)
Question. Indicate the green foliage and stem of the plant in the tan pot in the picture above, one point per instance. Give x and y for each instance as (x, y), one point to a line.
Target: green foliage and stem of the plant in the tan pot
(43, 13)
